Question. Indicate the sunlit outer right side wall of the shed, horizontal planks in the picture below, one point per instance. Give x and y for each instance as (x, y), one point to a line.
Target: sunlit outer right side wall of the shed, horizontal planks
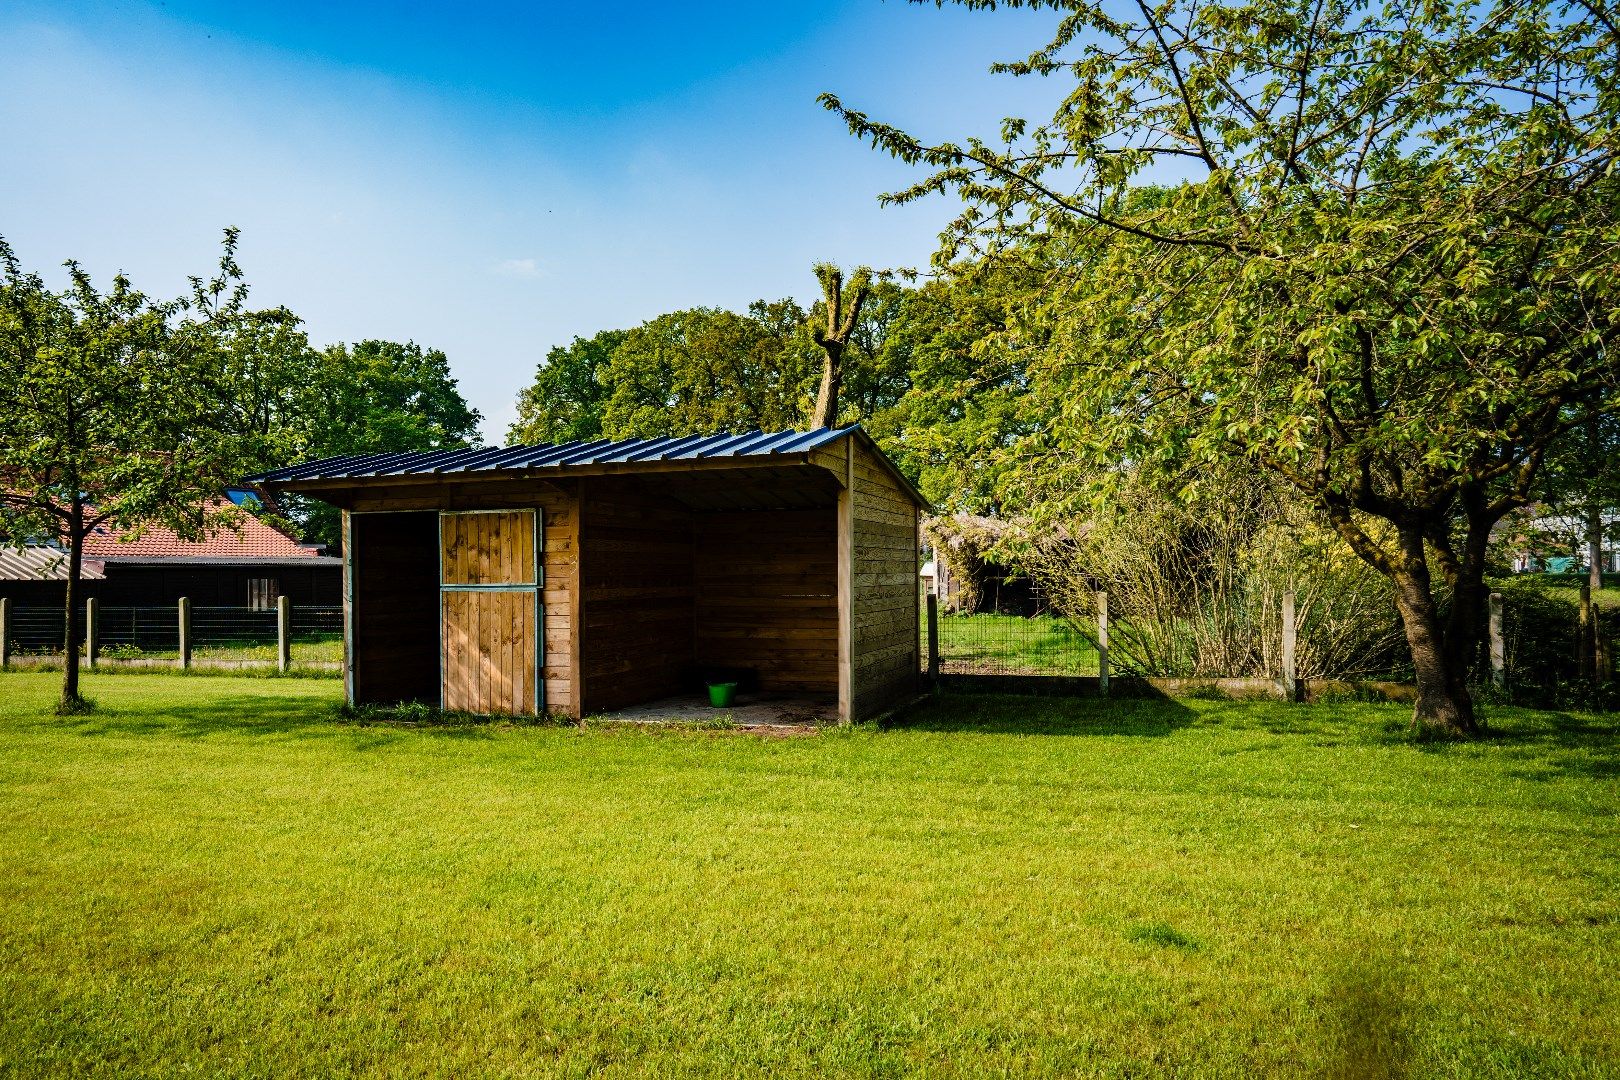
(885, 589)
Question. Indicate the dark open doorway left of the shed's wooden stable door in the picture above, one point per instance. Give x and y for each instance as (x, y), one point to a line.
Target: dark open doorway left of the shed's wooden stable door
(396, 610)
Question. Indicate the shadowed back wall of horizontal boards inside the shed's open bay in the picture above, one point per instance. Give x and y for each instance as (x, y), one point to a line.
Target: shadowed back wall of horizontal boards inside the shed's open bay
(767, 597)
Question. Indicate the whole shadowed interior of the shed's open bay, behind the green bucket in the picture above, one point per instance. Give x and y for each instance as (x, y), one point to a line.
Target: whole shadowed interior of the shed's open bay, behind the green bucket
(681, 577)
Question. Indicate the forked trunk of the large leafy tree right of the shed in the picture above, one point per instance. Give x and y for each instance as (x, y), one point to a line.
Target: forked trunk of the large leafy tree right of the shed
(1439, 652)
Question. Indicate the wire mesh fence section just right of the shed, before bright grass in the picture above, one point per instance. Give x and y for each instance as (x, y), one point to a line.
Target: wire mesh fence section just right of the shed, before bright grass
(1010, 645)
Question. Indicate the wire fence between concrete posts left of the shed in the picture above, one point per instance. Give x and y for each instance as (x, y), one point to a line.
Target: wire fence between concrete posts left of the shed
(236, 634)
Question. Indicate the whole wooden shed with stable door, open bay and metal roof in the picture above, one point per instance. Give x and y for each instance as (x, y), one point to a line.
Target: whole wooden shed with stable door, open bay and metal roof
(592, 577)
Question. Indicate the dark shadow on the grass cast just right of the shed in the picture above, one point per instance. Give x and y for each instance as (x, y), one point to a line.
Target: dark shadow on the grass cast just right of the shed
(1018, 715)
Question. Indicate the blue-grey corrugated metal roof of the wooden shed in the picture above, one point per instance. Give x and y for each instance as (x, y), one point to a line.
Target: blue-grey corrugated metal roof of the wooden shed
(754, 444)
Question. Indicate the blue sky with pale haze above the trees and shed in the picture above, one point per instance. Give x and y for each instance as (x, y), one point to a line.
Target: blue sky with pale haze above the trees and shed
(488, 179)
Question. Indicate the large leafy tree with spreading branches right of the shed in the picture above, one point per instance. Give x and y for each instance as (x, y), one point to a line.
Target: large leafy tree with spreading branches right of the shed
(1388, 276)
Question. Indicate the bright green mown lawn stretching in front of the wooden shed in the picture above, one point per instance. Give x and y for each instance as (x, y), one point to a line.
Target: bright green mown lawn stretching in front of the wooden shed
(215, 877)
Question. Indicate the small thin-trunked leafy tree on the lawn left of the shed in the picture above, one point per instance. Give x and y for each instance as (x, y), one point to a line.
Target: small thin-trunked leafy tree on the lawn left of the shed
(116, 410)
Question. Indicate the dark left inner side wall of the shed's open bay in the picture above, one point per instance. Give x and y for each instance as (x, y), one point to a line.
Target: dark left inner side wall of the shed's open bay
(637, 595)
